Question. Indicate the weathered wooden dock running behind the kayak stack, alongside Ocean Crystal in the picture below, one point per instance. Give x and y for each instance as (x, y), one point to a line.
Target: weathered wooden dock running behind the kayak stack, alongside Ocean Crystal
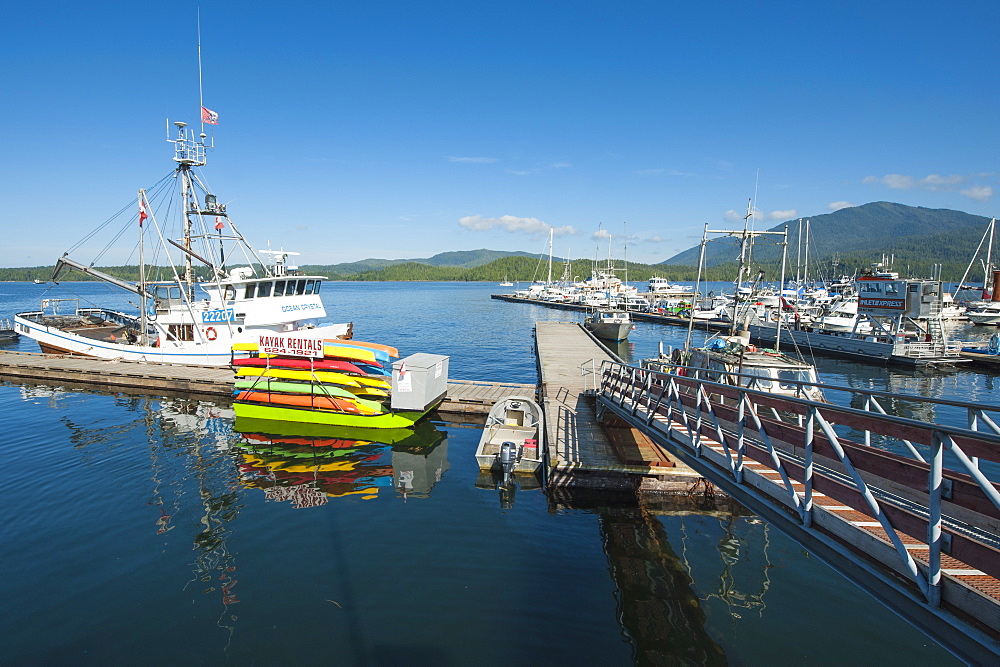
(463, 397)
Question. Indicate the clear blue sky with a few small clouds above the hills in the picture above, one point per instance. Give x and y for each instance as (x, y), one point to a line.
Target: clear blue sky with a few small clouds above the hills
(402, 129)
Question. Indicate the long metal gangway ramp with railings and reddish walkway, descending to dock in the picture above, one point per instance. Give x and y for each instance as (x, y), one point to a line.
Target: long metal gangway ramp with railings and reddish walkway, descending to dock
(898, 505)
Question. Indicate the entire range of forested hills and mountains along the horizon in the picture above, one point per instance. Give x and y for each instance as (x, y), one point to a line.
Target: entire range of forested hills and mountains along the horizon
(921, 241)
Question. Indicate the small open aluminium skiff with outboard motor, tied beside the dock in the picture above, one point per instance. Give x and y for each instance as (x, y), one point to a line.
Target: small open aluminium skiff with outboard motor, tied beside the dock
(513, 437)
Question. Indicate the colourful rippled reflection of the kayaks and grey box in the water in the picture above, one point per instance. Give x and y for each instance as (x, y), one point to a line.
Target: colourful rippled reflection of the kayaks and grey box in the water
(307, 464)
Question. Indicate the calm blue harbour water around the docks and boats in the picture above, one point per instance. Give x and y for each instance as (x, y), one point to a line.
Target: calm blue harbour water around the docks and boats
(151, 531)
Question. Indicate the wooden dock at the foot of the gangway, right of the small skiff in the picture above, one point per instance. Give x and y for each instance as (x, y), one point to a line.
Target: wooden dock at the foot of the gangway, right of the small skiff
(580, 451)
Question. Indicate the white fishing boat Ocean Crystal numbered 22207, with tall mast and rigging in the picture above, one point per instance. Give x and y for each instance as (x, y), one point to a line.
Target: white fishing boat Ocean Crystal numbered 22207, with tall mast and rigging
(179, 318)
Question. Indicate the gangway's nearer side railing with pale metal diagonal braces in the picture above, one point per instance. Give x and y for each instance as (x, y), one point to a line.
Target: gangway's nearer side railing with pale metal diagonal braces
(641, 390)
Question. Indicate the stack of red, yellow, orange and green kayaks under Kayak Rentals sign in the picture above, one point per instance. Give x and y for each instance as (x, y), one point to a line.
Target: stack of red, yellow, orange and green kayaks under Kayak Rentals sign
(347, 384)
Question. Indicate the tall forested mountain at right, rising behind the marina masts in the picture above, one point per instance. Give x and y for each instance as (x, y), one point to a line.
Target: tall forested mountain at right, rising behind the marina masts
(860, 235)
